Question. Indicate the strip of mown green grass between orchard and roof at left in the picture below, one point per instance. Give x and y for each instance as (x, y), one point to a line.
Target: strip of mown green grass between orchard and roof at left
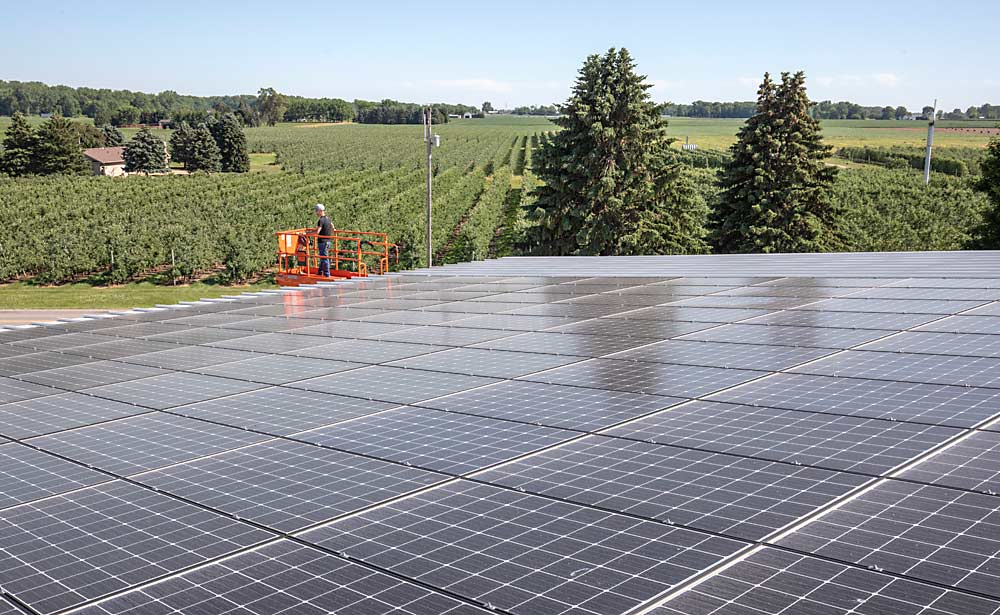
(23, 296)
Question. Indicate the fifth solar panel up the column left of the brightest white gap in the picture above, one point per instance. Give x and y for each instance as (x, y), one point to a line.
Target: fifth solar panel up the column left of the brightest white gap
(933, 369)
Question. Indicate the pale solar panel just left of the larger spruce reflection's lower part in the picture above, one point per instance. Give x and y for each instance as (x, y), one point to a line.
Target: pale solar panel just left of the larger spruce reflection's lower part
(483, 362)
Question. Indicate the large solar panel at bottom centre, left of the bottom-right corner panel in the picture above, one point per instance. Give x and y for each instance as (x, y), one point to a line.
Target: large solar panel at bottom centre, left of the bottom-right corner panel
(521, 553)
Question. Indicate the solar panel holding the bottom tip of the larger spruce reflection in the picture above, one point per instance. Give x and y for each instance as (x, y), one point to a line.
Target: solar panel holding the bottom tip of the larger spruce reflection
(646, 377)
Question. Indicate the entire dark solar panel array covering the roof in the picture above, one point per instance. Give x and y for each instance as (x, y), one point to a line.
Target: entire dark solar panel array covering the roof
(521, 443)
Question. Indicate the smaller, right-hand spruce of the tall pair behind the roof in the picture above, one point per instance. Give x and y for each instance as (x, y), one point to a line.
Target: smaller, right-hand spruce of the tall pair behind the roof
(776, 190)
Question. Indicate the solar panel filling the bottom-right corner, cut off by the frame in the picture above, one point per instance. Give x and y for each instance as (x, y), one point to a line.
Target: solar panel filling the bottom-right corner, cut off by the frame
(774, 581)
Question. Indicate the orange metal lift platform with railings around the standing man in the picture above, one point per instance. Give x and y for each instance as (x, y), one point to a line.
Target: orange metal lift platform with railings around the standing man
(352, 254)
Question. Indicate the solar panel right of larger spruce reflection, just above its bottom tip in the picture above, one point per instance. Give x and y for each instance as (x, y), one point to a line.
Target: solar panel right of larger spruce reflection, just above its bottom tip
(720, 354)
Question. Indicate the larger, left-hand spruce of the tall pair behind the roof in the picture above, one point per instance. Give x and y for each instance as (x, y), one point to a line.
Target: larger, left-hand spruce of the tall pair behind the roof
(607, 186)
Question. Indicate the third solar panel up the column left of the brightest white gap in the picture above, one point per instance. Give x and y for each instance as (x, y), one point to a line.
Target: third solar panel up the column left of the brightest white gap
(870, 446)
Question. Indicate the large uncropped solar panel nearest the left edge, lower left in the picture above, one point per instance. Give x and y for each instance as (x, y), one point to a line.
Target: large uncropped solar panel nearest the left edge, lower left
(146, 442)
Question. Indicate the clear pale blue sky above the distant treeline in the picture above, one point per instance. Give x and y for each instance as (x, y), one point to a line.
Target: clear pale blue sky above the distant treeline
(510, 53)
